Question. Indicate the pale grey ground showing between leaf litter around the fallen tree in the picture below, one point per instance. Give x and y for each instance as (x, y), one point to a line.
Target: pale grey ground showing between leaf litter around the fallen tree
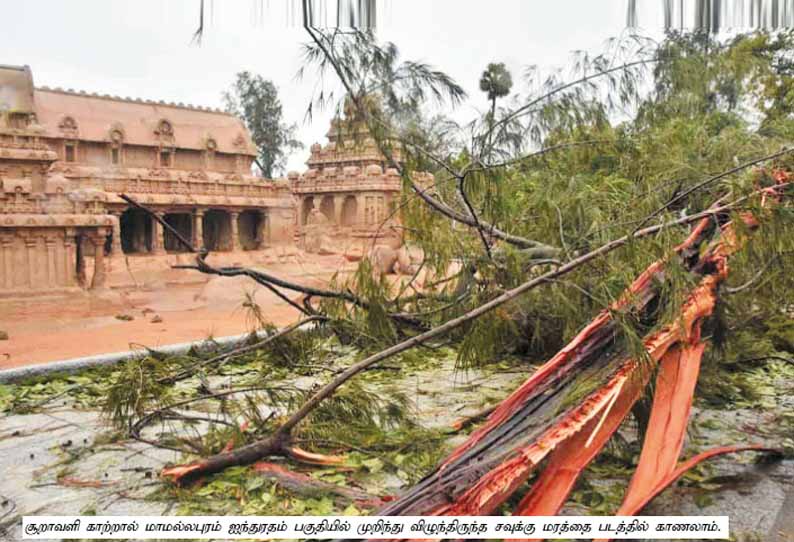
(757, 497)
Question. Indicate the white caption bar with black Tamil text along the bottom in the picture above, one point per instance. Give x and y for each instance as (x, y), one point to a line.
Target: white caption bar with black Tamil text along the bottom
(374, 527)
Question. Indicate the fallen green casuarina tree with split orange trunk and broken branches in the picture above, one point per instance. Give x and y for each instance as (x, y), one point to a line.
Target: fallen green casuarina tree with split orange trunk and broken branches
(528, 236)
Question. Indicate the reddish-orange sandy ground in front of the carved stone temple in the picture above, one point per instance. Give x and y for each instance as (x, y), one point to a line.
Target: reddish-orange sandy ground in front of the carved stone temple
(83, 324)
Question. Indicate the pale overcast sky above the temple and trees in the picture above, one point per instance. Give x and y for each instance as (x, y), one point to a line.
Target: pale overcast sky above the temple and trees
(143, 48)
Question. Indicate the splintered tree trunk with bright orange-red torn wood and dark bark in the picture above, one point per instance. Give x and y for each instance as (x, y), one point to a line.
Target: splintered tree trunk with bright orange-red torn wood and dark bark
(535, 422)
